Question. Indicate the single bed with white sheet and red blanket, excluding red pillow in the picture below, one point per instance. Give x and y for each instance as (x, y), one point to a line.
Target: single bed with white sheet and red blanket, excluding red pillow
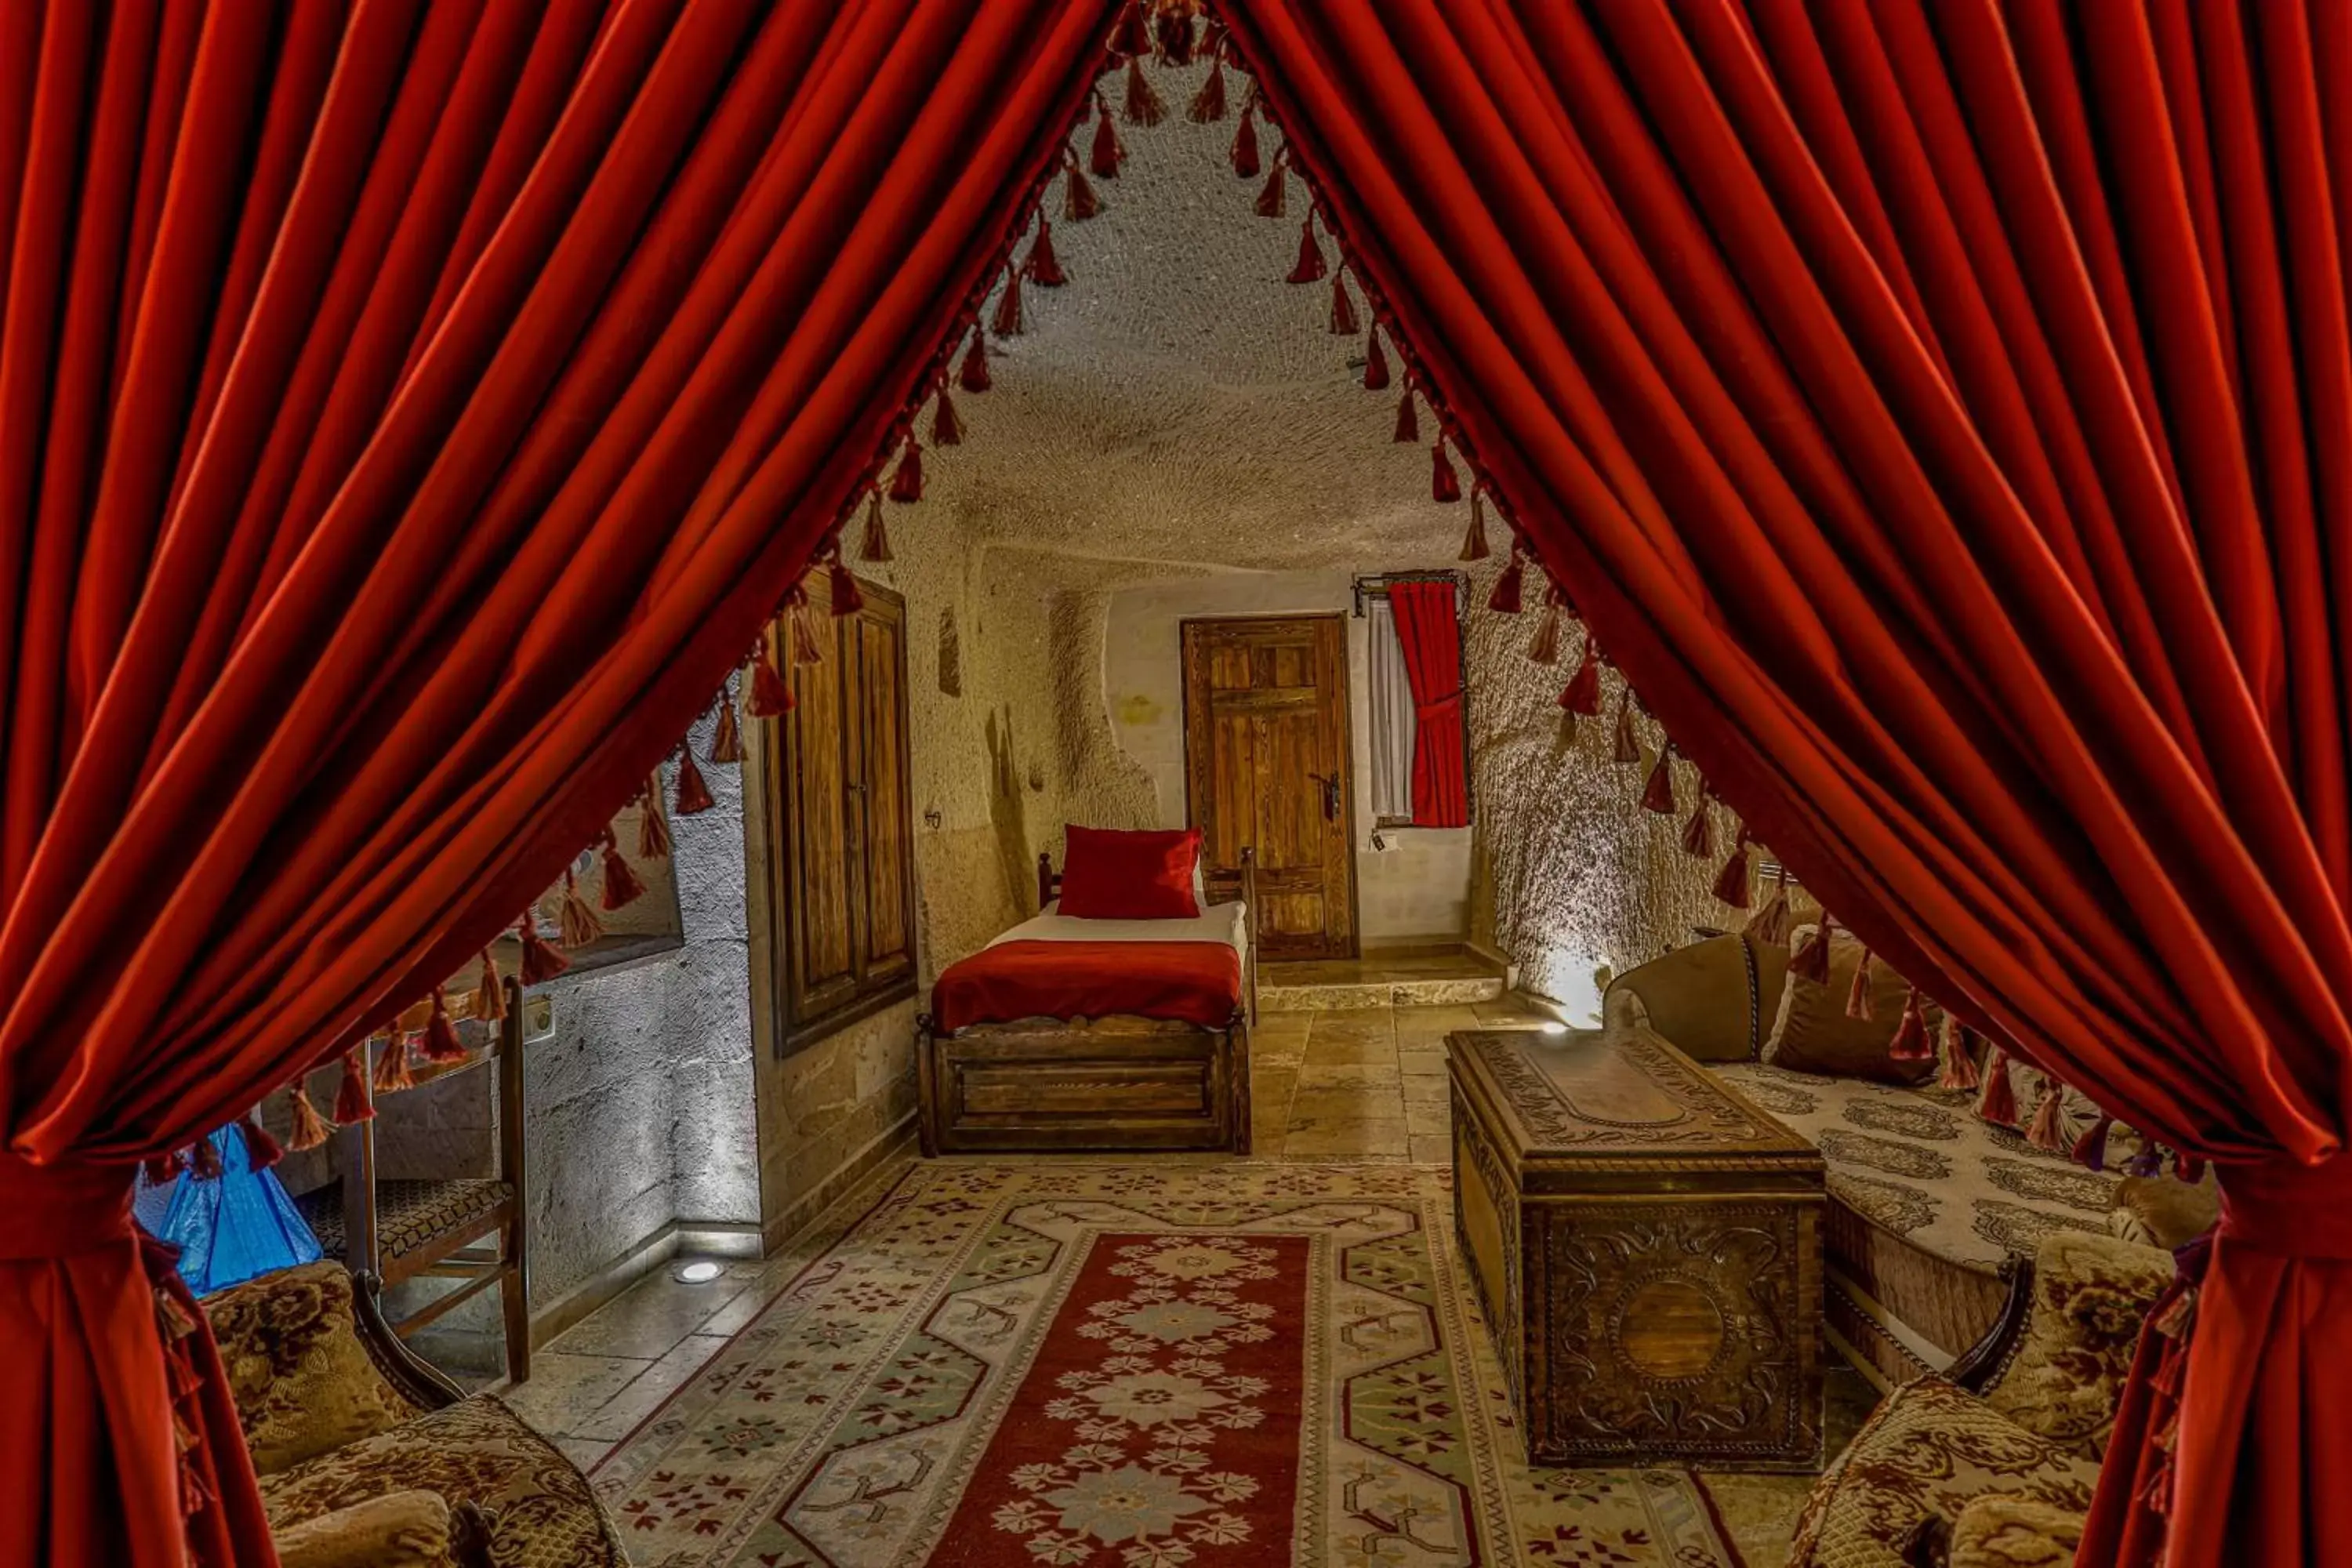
(1116, 1036)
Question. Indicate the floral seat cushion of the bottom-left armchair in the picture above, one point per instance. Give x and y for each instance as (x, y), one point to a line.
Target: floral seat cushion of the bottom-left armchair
(540, 1508)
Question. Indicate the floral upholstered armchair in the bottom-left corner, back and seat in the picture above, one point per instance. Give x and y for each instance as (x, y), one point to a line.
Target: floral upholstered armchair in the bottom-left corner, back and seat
(370, 1459)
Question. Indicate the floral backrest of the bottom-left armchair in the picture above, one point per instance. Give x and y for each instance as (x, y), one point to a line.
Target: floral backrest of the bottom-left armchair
(298, 1369)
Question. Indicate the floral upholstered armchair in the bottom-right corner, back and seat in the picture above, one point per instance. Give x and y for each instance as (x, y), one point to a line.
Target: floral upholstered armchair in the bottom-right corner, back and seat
(1996, 1461)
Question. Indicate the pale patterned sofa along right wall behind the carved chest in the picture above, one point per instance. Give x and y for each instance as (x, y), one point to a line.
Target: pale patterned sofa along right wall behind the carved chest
(1930, 1205)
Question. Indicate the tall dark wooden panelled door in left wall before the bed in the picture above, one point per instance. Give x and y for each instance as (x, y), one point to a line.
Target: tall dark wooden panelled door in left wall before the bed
(841, 812)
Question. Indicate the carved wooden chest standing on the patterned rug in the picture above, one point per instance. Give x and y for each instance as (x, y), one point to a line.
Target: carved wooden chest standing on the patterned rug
(1648, 1249)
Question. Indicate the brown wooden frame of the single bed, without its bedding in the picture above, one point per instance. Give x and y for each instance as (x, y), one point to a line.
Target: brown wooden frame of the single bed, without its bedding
(1093, 1085)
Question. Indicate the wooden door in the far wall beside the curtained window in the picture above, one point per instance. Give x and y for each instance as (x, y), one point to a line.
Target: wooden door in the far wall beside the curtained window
(1267, 768)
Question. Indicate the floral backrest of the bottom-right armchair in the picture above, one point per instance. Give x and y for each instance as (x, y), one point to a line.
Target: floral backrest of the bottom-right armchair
(2090, 1301)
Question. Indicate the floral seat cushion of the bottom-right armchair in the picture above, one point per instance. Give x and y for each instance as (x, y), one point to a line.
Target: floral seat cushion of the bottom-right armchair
(1923, 1456)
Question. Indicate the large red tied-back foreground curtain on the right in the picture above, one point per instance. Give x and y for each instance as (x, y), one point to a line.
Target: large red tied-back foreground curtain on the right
(1944, 415)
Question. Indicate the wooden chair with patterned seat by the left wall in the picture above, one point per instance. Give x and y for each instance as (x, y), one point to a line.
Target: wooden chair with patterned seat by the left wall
(453, 1228)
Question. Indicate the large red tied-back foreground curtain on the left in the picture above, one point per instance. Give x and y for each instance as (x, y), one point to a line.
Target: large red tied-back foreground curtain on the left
(408, 415)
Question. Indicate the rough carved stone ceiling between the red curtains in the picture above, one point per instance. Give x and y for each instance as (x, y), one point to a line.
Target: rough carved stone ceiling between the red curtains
(1177, 401)
